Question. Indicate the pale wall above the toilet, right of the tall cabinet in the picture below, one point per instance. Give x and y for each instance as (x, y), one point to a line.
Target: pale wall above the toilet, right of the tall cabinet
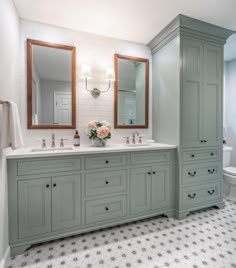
(230, 107)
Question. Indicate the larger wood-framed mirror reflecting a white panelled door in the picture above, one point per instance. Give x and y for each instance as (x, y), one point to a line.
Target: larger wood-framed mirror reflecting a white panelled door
(51, 85)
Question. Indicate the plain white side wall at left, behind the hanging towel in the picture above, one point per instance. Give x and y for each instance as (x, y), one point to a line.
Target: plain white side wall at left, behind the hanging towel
(9, 90)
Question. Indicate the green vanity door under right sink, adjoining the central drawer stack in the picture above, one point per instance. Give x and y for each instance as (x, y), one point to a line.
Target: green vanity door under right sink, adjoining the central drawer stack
(140, 189)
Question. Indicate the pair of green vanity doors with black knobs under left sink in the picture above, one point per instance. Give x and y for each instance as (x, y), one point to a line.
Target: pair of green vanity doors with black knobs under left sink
(48, 204)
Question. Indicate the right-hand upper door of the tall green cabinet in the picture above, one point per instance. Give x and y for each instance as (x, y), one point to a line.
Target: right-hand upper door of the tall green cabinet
(212, 92)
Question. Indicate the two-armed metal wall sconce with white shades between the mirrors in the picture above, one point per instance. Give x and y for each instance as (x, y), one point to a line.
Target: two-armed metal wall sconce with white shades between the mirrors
(86, 74)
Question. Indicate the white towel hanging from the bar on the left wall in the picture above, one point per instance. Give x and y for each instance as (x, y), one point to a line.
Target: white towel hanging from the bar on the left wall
(11, 132)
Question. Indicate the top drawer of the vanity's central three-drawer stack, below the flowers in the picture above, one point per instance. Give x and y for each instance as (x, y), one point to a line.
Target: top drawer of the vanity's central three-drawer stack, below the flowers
(105, 161)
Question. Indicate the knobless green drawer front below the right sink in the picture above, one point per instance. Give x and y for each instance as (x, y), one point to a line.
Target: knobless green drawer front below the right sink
(150, 157)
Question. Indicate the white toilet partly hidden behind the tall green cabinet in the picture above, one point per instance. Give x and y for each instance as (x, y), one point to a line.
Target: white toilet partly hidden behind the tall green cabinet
(229, 173)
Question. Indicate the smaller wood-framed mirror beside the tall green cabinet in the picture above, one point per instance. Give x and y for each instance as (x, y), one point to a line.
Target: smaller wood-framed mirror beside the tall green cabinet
(131, 92)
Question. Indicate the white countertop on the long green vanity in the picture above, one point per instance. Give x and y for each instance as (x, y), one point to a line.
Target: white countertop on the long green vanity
(86, 149)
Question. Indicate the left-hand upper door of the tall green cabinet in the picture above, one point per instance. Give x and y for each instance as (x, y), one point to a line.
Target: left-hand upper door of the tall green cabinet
(192, 93)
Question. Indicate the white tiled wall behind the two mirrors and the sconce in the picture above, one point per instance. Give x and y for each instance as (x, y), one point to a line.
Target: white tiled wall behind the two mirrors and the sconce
(92, 49)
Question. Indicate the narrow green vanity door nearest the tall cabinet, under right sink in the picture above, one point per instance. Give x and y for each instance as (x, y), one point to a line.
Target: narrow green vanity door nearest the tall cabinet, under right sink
(160, 187)
